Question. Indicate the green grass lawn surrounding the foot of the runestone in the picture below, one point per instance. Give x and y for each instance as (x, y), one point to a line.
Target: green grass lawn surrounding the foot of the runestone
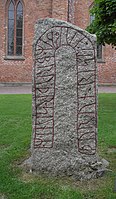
(15, 139)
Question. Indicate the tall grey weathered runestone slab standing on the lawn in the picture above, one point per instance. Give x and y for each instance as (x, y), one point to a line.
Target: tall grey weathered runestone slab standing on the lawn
(64, 101)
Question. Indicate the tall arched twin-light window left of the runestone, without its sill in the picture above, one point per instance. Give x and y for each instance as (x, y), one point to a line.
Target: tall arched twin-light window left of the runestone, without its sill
(15, 28)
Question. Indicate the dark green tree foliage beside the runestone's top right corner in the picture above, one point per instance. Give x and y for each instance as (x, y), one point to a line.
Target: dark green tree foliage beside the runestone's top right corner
(104, 25)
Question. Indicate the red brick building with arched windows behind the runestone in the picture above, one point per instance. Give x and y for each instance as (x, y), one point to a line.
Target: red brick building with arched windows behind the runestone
(17, 19)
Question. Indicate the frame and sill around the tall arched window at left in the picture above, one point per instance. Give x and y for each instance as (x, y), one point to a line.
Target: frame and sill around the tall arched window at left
(15, 56)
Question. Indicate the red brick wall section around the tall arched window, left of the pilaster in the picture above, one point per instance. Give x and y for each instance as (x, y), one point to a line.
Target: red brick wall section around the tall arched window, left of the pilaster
(20, 70)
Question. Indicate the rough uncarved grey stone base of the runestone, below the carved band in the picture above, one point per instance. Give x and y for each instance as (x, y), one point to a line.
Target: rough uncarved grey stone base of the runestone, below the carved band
(79, 168)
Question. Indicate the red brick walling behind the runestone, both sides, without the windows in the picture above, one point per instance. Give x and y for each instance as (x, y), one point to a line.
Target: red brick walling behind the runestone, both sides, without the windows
(20, 70)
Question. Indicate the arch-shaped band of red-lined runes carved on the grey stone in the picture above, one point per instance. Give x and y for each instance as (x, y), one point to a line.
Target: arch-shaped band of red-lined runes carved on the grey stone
(44, 88)
